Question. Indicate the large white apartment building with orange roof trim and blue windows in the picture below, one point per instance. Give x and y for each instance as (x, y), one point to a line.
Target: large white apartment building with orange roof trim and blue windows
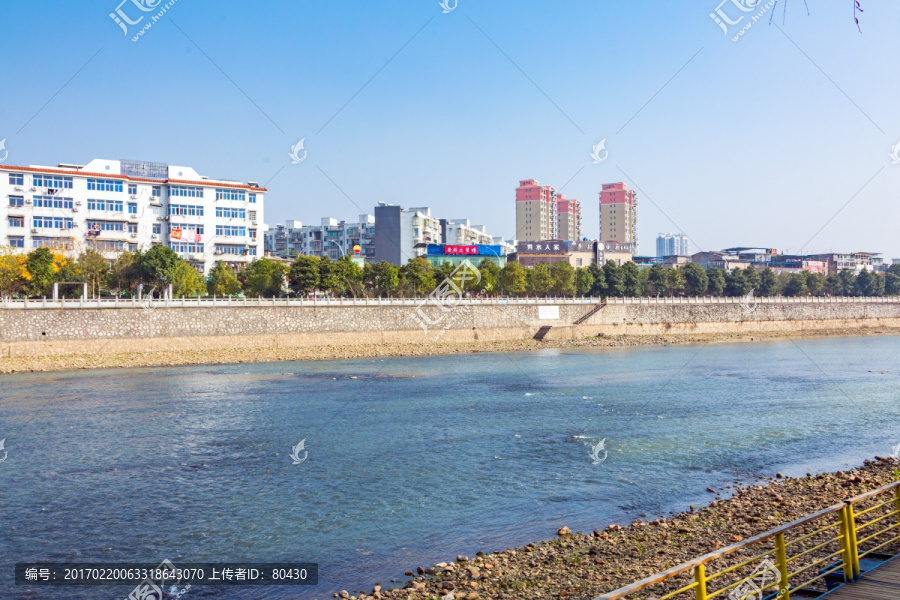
(117, 205)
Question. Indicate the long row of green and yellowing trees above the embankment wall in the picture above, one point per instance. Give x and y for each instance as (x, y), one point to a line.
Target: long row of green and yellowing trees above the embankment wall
(33, 274)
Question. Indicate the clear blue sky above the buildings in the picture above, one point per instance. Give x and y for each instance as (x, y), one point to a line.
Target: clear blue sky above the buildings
(763, 141)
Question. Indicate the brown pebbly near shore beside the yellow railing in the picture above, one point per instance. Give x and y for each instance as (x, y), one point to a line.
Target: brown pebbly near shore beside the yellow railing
(579, 566)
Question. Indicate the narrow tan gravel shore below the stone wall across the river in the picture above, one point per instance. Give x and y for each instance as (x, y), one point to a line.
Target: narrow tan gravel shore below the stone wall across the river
(64, 362)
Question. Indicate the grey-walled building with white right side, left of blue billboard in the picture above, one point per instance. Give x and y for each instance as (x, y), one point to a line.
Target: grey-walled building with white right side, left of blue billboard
(402, 234)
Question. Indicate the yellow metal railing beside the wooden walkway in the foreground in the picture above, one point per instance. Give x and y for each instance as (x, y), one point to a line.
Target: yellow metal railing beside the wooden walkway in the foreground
(798, 555)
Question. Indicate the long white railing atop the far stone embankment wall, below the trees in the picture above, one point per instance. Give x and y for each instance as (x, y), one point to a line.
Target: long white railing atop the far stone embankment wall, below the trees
(337, 302)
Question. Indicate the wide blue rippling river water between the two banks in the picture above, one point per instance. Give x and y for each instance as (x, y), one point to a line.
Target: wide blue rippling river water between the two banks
(412, 461)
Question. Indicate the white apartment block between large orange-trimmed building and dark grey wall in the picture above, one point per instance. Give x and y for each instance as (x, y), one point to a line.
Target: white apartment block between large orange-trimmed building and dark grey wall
(332, 238)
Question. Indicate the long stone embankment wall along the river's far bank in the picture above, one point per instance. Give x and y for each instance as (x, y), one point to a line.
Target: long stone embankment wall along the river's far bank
(42, 330)
